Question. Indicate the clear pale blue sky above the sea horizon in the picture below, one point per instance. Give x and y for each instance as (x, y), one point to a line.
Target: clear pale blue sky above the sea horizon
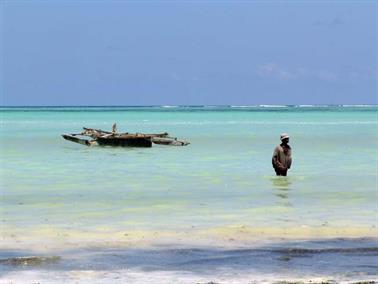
(188, 52)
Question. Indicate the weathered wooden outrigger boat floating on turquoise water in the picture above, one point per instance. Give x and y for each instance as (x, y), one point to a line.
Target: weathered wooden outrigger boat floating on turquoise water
(107, 138)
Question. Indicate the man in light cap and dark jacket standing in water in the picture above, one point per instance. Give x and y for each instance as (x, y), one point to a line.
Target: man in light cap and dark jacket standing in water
(281, 159)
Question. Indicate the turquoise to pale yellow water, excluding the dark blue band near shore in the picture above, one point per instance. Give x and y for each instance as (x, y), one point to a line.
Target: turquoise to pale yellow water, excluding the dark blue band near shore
(223, 178)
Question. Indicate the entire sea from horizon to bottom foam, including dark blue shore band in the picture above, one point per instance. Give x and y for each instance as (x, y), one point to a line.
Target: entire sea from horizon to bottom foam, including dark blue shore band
(210, 211)
